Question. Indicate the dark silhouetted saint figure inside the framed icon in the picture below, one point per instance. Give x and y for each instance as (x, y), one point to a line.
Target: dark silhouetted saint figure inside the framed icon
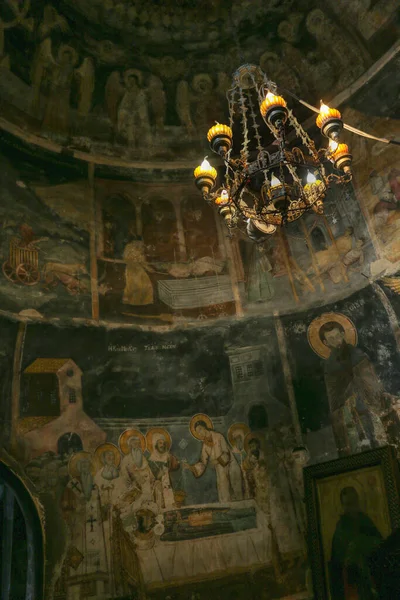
(354, 540)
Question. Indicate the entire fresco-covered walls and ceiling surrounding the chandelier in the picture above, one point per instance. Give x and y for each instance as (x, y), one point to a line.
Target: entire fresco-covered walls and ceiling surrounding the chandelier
(166, 382)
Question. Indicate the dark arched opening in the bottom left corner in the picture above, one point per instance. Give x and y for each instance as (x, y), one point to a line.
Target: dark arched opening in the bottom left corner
(21, 541)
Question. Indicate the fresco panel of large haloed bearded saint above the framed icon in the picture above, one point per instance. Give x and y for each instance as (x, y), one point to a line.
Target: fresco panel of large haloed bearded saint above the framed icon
(352, 379)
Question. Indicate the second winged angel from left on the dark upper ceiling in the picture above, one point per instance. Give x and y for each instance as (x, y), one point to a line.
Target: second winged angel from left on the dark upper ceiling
(127, 107)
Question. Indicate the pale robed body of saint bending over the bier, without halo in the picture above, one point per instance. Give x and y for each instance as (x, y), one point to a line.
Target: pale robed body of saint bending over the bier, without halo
(217, 453)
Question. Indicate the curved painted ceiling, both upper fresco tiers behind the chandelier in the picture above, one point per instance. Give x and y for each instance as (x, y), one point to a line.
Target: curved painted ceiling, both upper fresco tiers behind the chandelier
(105, 106)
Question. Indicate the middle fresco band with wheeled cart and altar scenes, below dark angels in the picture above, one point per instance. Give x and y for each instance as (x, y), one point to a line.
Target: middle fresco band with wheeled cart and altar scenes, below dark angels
(157, 254)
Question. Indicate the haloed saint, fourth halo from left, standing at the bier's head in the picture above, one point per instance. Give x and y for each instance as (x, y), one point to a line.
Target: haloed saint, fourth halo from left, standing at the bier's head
(161, 463)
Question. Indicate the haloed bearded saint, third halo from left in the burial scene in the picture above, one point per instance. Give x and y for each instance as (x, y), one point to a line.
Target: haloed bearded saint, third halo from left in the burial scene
(137, 478)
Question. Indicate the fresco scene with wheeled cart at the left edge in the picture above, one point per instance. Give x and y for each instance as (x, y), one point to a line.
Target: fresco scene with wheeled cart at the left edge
(45, 248)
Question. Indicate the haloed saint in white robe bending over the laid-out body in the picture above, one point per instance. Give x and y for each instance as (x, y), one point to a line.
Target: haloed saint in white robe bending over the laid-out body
(216, 453)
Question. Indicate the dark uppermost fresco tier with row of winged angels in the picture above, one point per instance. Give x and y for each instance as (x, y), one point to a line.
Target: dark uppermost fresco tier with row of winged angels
(100, 95)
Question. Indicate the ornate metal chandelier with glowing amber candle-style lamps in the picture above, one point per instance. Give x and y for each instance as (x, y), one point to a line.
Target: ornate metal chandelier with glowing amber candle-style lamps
(267, 183)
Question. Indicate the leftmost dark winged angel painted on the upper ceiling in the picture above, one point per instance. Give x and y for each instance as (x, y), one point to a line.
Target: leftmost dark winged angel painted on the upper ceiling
(57, 75)
